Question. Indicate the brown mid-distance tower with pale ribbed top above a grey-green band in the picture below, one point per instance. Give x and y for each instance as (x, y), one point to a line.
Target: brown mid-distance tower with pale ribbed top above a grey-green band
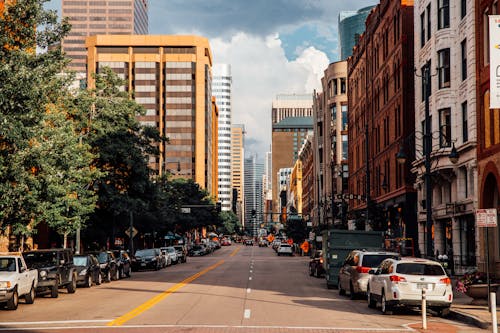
(291, 119)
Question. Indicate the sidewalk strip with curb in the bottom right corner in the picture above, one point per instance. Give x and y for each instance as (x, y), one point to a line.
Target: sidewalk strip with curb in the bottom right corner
(473, 314)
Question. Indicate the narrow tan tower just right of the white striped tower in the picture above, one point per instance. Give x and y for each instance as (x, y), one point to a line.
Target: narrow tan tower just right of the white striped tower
(237, 168)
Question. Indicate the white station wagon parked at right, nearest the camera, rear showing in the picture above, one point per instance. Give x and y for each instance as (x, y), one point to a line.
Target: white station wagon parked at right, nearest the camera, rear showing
(400, 283)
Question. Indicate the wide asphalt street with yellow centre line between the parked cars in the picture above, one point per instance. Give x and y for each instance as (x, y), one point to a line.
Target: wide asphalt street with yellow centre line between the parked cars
(236, 289)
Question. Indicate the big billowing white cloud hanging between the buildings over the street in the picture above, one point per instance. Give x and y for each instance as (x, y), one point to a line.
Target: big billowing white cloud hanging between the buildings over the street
(260, 71)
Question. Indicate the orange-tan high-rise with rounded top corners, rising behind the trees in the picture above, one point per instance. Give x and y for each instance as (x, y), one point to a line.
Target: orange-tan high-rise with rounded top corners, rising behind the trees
(171, 78)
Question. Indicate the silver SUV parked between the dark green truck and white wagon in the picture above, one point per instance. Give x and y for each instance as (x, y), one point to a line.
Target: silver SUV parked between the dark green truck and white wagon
(353, 275)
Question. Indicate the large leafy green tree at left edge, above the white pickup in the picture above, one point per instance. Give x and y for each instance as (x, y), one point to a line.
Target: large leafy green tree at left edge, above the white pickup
(44, 169)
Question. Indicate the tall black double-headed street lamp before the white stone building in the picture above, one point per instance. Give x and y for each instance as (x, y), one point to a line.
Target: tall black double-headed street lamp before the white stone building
(453, 157)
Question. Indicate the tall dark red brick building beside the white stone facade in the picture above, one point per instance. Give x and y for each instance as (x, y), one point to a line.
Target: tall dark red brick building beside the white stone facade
(381, 119)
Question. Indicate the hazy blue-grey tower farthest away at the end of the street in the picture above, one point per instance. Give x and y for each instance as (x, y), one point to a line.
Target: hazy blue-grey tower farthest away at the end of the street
(253, 195)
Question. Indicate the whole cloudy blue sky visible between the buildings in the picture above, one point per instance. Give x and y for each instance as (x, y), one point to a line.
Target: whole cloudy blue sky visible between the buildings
(273, 47)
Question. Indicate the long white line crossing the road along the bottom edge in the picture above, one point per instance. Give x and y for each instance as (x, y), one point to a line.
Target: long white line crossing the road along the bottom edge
(30, 329)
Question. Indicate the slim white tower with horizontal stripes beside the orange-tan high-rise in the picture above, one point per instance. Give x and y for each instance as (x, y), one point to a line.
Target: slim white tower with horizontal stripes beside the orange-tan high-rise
(221, 89)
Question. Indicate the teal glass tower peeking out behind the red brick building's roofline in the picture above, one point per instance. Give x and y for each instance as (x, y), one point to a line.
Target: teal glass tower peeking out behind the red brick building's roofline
(351, 26)
